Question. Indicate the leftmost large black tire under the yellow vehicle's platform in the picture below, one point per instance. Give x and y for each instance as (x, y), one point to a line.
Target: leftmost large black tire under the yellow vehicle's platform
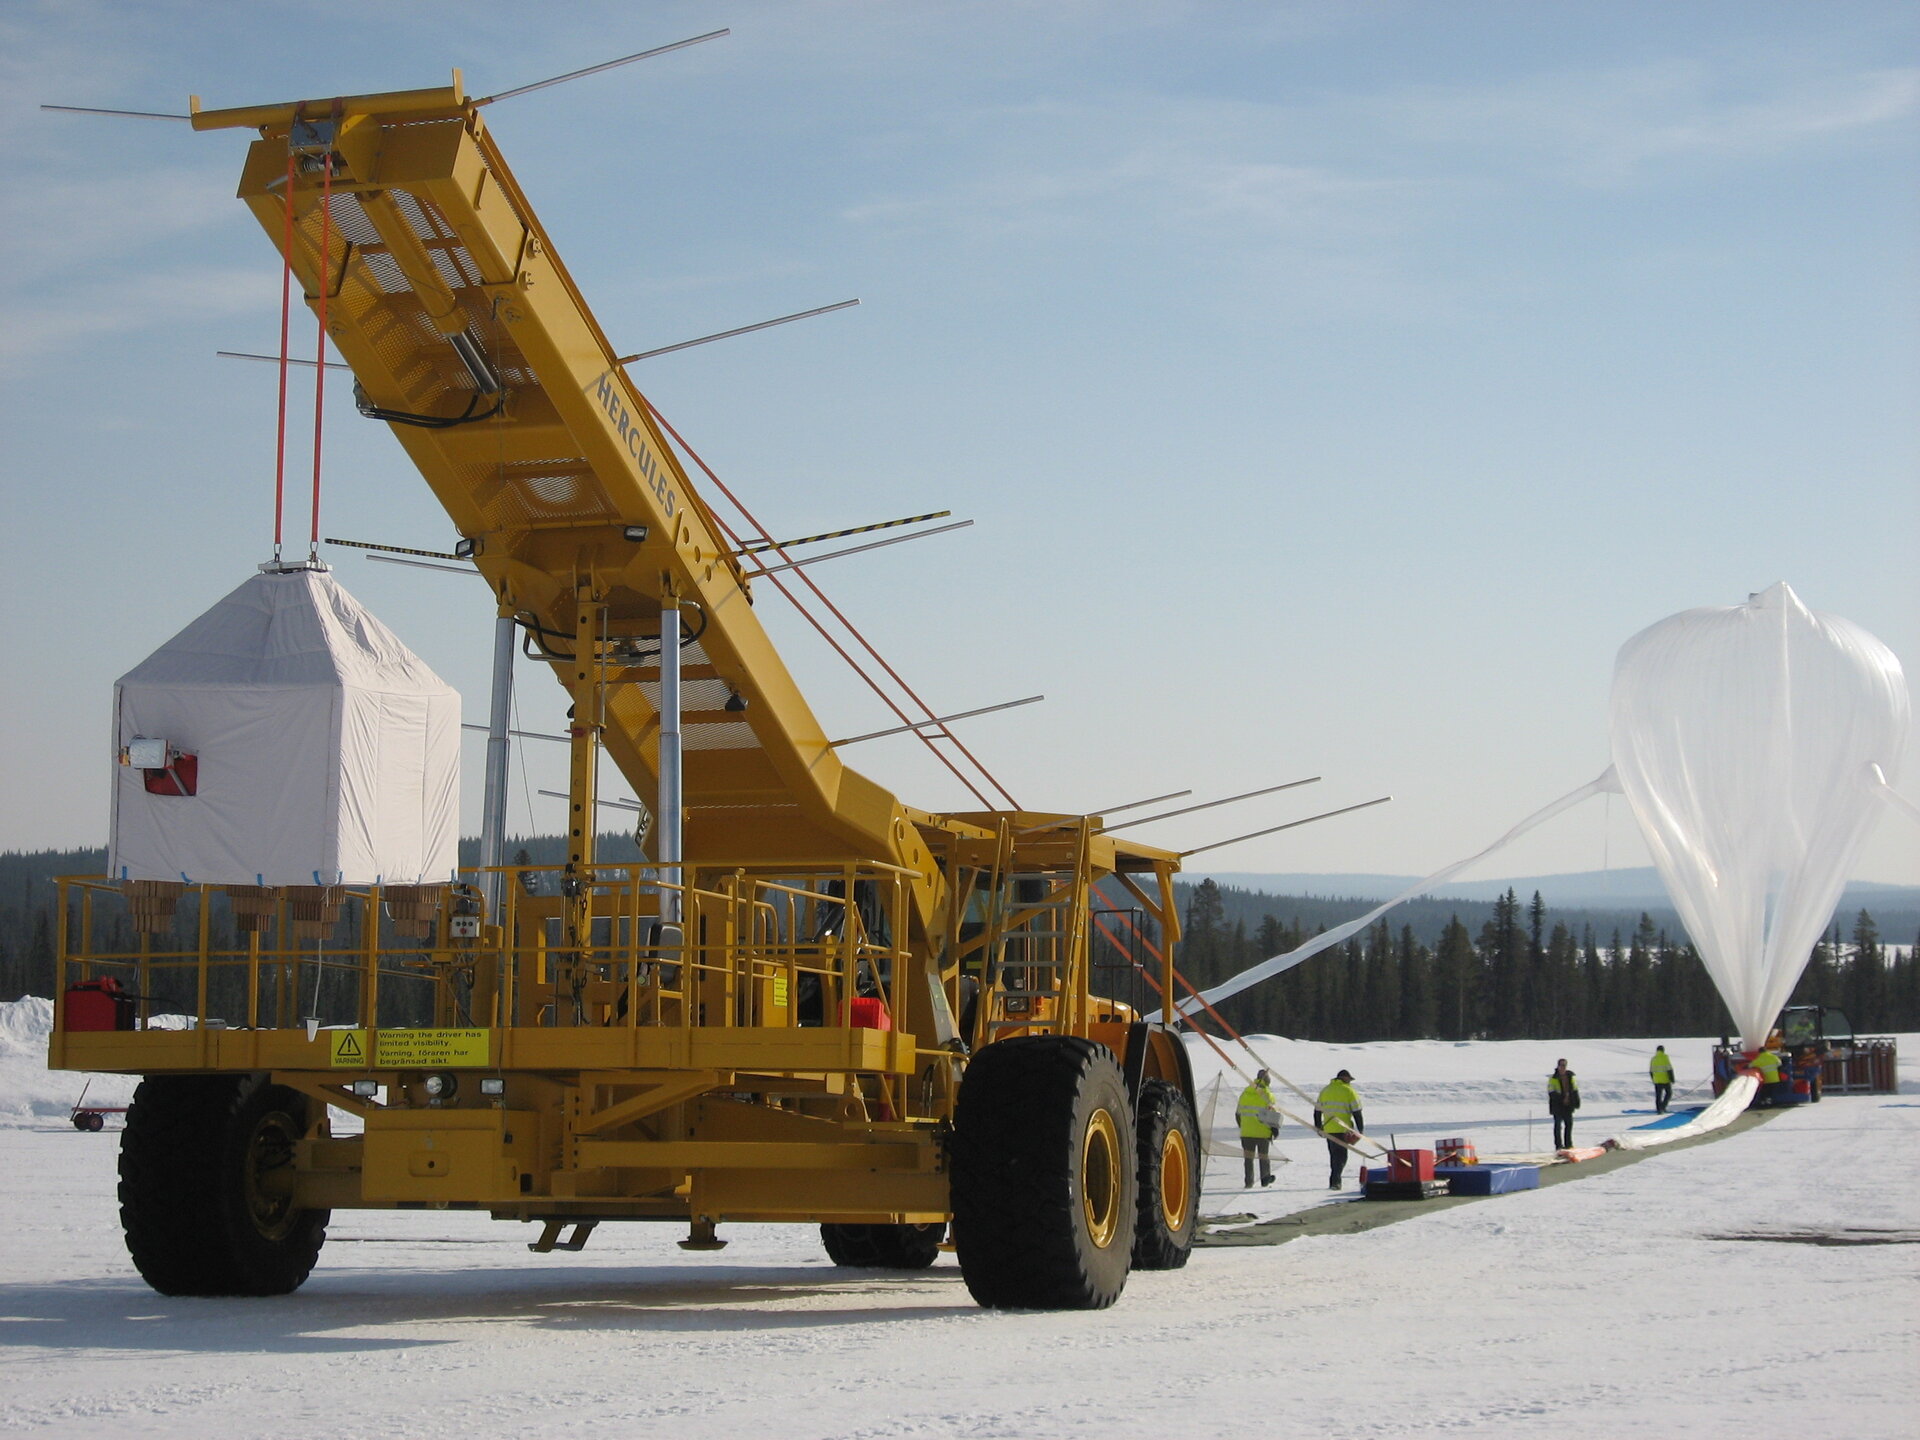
(206, 1188)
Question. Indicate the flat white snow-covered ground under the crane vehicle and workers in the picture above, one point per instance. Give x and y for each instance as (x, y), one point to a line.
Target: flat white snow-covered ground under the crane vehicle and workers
(1669, 1297)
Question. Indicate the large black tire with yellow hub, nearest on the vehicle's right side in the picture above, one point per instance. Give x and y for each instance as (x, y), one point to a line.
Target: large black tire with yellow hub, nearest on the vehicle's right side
(1044, 1176)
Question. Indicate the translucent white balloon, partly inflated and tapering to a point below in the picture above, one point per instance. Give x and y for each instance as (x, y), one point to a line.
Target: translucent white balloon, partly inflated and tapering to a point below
(1746, 740)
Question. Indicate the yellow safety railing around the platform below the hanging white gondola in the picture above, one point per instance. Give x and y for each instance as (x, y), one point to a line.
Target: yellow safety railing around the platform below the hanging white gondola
(748, 951)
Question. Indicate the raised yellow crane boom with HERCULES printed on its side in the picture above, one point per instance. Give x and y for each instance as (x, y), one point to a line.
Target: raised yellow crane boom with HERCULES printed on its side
(439, 281)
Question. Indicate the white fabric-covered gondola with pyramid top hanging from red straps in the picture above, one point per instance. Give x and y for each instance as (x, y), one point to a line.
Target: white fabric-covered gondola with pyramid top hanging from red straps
(325, 750)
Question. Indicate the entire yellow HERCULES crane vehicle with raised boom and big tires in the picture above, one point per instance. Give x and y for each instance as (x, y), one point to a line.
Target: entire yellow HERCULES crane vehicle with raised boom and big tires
(823, 1007)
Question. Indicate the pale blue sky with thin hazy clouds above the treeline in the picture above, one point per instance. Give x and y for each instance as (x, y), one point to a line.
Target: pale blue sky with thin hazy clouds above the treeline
(1335, 387)
